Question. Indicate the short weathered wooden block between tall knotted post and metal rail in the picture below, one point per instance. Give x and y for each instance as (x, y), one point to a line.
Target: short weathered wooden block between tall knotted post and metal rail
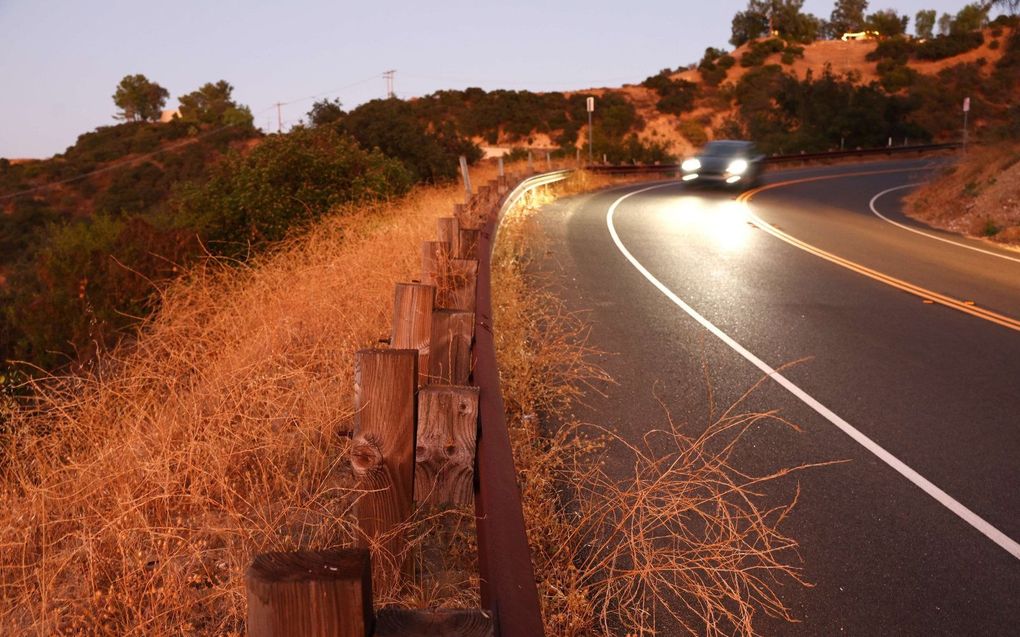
(444, 457)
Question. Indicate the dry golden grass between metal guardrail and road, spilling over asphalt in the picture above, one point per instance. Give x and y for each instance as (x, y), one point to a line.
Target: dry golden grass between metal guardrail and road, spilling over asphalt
(687, 543)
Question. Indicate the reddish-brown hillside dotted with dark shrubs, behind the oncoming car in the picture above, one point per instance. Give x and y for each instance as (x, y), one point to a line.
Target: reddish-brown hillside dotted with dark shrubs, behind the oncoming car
(917, 85)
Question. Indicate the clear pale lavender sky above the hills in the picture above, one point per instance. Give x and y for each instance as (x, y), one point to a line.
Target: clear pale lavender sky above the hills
(61, 62)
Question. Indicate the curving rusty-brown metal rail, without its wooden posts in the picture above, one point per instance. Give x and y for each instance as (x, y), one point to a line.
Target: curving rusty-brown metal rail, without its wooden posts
(508, 588)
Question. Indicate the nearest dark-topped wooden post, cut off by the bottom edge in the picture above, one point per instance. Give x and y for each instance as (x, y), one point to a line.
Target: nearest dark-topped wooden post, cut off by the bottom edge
(311, 594)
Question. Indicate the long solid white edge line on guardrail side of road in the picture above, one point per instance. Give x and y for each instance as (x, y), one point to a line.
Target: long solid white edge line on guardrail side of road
(924, 484)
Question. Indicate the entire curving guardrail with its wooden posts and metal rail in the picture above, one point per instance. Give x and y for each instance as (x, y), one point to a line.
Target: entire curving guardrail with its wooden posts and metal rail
(430, 430)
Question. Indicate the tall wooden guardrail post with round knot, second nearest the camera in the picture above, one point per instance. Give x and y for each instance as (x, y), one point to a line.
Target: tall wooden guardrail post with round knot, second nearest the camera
(383, 451)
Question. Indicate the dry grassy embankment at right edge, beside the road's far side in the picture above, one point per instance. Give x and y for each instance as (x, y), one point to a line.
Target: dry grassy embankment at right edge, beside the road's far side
(980, 196)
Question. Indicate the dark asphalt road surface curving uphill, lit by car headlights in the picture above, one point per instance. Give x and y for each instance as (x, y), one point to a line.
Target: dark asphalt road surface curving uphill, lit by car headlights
(929, 386)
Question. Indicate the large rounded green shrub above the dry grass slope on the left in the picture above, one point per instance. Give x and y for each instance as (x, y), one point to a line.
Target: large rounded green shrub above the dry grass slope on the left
(286, 182)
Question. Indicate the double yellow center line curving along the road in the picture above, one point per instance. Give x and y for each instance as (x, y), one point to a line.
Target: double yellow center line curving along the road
(924, 293)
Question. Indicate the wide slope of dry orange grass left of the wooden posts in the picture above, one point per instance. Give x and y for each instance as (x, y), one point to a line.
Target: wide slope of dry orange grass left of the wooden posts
(132, 500)
